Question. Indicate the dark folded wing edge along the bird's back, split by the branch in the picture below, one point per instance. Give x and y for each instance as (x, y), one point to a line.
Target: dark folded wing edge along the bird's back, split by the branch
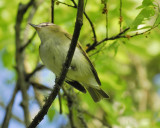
(87, 58)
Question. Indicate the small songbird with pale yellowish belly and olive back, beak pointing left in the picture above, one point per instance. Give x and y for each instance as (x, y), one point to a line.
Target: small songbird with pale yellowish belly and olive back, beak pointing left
(53, 50)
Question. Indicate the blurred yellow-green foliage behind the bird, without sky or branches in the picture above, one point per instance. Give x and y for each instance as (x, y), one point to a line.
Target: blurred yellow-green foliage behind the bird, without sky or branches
(126, 67)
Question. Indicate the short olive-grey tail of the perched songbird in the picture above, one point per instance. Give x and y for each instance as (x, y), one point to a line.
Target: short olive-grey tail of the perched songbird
(97, 93)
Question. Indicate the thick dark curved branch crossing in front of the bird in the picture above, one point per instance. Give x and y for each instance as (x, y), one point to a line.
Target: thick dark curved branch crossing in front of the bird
(79, 21)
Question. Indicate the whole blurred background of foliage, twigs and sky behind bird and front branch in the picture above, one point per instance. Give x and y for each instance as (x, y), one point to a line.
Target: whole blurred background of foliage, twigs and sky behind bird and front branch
(128, 64)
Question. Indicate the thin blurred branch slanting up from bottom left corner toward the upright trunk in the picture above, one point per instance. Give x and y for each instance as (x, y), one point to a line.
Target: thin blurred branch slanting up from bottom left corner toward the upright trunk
(9, 109)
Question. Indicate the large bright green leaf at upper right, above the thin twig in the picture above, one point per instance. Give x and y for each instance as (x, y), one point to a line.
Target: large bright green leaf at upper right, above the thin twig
(145, 14)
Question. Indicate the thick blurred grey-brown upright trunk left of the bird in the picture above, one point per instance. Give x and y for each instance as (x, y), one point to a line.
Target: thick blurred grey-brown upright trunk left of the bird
(22, 8)
